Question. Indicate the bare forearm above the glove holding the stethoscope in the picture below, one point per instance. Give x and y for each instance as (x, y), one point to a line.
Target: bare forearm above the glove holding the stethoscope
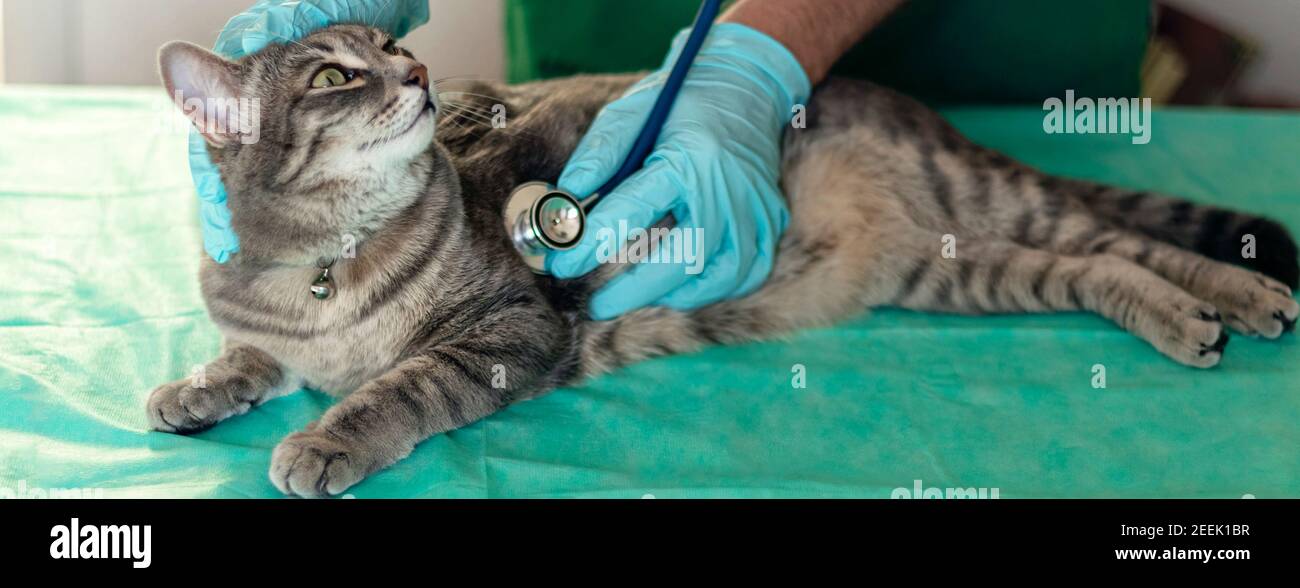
(817, 32)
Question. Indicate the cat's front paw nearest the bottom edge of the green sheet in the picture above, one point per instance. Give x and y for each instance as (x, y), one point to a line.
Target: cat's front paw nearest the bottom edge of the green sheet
(314, 465)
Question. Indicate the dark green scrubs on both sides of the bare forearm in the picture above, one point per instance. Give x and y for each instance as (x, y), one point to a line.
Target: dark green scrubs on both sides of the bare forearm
(942, 51)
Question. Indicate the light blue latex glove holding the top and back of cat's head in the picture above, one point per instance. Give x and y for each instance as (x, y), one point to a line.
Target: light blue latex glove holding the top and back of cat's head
(281, 21)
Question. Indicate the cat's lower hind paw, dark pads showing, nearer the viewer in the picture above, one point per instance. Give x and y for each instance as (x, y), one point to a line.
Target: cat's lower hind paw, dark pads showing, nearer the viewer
(1194, 334)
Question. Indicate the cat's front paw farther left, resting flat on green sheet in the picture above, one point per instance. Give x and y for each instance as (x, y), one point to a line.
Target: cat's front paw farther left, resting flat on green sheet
(185, 409)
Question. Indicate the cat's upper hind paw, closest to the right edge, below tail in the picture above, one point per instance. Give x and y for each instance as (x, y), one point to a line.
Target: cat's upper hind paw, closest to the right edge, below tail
(1256, 305)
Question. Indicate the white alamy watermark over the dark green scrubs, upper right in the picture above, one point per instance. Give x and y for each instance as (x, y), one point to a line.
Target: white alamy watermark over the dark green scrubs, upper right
(1102, 116)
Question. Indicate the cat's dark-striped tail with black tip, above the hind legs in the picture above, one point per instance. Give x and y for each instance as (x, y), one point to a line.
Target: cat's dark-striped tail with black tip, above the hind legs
(1250, 241)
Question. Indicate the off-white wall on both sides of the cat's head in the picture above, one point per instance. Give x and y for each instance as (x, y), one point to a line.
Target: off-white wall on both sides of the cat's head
(115, 42)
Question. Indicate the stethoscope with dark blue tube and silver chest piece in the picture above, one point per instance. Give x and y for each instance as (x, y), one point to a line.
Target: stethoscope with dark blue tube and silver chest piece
(541, 218)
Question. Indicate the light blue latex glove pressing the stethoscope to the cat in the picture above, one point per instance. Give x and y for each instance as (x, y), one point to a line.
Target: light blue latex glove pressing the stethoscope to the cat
(717, 167)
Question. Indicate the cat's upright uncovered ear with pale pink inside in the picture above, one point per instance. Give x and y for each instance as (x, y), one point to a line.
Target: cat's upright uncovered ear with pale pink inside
(206, 88)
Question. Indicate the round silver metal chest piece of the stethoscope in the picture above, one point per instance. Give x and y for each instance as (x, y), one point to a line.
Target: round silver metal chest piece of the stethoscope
(541, 218)
